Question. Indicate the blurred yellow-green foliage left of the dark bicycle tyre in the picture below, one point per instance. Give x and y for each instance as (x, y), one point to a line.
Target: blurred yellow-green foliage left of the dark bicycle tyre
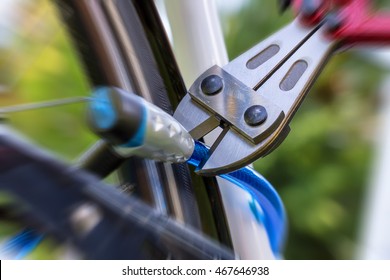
(40, 64)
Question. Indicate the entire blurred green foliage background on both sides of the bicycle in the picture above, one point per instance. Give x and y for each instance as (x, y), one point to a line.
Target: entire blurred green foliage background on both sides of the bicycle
(320, 170)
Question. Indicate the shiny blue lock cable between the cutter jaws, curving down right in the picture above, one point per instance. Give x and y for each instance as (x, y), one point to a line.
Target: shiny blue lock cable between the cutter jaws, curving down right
(274, 218)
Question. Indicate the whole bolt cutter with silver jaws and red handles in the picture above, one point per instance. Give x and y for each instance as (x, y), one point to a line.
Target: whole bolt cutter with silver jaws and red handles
(251, 100)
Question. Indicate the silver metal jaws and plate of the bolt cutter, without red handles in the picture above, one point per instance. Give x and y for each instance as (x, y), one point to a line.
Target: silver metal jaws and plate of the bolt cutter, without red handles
(279, 83)
